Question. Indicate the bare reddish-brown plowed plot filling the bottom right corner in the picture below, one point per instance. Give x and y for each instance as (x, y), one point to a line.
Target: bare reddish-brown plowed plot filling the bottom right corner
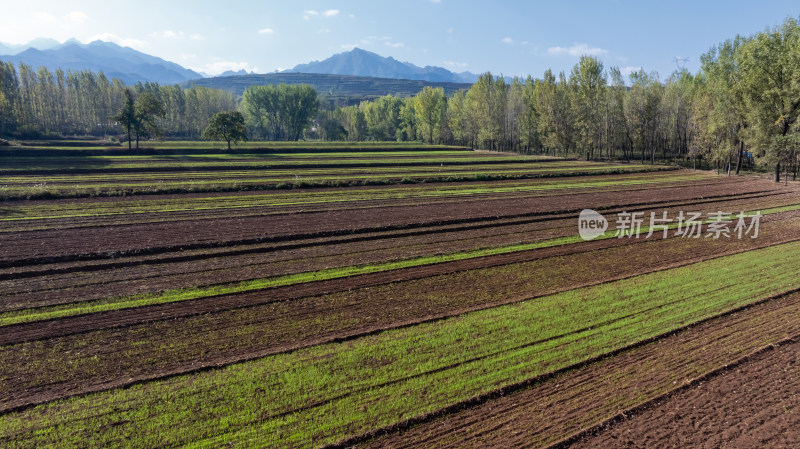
(754, 404)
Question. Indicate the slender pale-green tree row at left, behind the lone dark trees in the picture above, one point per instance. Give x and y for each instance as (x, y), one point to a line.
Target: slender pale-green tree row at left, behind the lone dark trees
(41, 103)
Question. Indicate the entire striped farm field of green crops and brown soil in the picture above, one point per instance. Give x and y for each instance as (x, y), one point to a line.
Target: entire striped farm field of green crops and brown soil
(386, 296)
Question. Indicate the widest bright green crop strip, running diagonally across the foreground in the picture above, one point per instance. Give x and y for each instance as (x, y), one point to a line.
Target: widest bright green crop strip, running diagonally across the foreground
(328, 392)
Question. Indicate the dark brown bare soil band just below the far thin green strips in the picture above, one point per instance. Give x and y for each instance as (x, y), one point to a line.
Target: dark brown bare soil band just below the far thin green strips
(20, 248)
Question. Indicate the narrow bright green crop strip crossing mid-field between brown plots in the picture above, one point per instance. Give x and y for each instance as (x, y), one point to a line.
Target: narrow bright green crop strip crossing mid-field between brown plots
(170, 296)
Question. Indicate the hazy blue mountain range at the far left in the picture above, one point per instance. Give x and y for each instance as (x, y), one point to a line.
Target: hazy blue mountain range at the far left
(125, 63)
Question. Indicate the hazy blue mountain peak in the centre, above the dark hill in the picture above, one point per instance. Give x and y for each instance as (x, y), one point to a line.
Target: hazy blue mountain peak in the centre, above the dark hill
(360, 62)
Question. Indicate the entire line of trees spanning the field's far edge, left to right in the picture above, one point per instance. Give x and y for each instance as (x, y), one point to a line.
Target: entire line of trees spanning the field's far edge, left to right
(741, 107)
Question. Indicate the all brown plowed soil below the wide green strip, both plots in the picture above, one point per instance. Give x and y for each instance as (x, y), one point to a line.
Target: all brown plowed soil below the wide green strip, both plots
(752, 405)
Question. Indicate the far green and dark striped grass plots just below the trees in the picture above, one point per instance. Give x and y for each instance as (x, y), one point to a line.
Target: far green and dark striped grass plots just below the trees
(66, 173)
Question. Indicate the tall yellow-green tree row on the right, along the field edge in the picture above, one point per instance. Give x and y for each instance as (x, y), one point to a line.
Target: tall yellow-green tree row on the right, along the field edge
(741, 107)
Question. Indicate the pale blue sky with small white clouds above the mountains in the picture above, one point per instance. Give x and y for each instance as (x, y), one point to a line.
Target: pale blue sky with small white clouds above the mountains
(504, 37)
